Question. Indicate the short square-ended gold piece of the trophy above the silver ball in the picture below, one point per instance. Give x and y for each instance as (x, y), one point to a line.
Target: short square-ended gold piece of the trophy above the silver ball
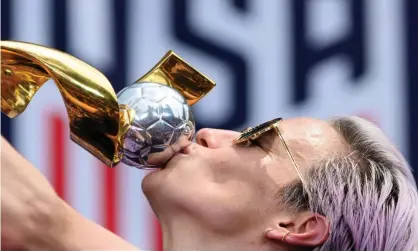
(176, 73)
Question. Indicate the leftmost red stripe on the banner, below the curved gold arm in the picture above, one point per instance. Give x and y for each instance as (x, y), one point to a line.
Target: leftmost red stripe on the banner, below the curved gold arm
(57, 155)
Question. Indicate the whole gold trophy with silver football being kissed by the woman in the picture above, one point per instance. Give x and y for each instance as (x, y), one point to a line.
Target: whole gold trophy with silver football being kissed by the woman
(143, 126)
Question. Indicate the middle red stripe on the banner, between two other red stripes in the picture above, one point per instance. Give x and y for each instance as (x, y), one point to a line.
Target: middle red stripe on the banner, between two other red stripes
(110, 200)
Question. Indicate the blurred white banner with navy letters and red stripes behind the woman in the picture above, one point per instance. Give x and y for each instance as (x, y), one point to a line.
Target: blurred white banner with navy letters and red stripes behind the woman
(269, 58)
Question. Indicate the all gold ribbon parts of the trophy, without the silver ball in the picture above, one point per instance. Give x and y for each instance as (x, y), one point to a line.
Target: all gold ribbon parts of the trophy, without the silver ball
(97, 122)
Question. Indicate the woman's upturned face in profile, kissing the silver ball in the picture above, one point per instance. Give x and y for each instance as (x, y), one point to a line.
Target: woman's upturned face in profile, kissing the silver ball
(228, 187)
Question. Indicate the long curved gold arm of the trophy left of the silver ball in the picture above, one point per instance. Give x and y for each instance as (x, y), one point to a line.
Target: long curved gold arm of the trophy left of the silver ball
(89, 98)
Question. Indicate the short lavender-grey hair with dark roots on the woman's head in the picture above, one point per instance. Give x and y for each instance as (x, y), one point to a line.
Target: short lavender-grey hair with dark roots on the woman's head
(369, 195)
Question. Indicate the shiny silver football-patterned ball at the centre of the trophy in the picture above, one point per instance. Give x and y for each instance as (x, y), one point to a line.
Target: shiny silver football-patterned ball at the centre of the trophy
(162, 126)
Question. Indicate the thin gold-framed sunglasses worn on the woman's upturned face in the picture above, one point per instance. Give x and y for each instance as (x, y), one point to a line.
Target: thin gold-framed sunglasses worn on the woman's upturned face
(250, 134)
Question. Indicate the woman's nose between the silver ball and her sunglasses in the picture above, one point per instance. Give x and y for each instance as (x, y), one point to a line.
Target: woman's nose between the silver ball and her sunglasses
(215, 138)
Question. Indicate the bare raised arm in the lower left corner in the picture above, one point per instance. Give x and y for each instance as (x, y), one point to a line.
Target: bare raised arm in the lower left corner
(33, 217)
